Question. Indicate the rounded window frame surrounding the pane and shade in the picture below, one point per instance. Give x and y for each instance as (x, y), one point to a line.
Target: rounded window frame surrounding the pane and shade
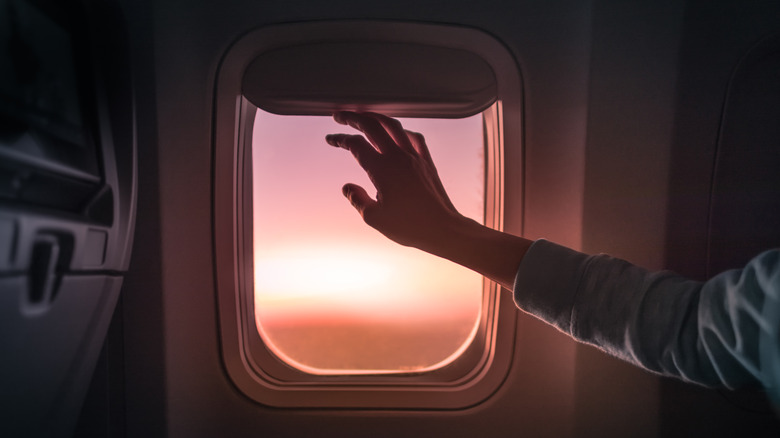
(252, 367)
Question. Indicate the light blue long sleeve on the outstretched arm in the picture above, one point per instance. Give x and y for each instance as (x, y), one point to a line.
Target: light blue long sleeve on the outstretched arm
(723, 332)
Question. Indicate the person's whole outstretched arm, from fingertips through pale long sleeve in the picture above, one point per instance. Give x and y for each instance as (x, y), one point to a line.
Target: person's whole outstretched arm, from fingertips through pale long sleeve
(710, 333)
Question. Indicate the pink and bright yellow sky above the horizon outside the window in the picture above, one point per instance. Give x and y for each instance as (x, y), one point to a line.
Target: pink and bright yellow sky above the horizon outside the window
(315, 259)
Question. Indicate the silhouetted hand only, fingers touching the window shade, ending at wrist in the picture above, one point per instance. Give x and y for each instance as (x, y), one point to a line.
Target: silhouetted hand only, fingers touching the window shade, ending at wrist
(411, 207)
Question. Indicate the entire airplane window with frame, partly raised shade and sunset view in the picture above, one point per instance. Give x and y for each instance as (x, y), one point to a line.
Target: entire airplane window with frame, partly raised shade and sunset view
(316, 308)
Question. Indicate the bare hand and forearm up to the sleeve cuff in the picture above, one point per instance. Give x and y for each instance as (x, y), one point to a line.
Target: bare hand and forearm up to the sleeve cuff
(411, 206)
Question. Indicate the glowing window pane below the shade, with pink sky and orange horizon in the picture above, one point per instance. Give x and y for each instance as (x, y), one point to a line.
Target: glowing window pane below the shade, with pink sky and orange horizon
(332, 295)
